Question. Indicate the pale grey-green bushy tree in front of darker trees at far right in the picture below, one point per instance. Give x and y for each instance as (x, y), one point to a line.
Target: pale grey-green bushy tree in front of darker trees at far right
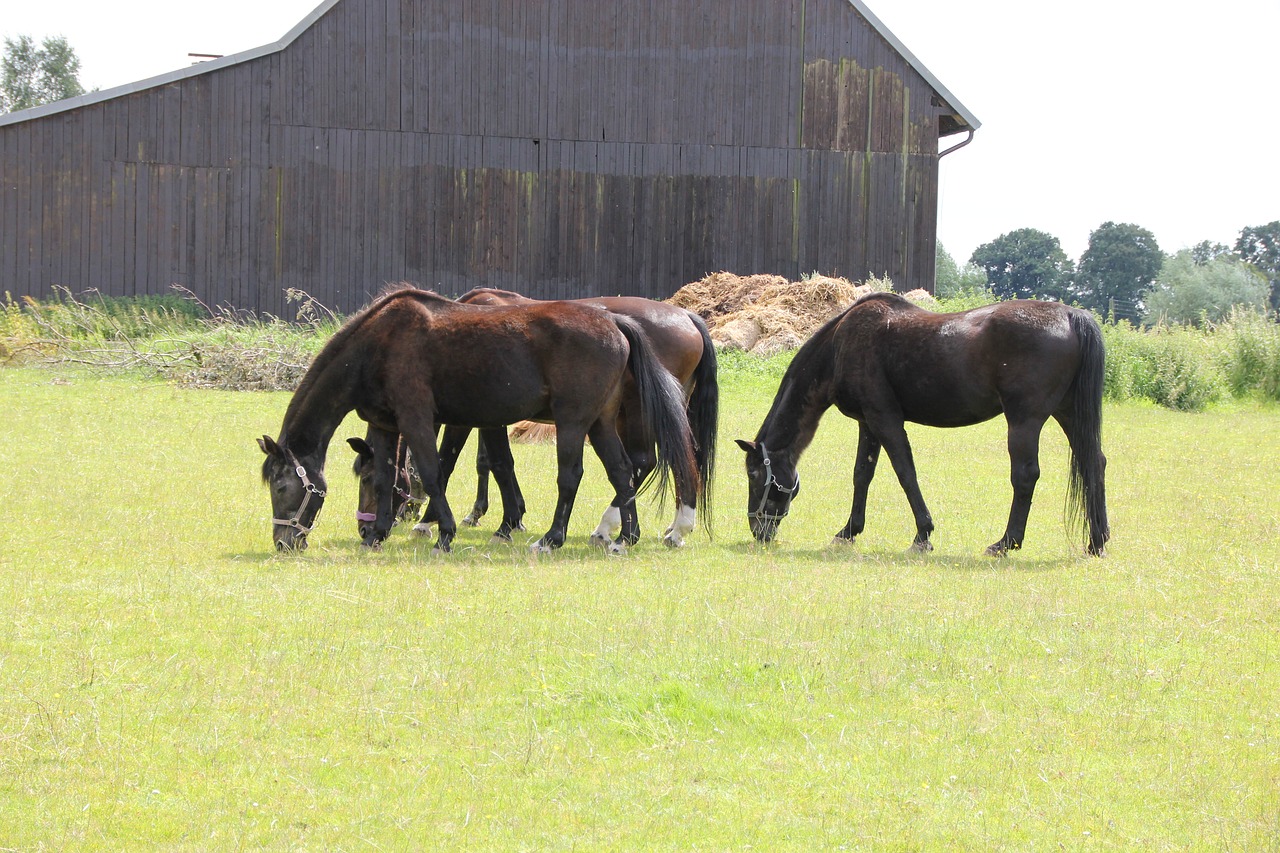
(1192, 294)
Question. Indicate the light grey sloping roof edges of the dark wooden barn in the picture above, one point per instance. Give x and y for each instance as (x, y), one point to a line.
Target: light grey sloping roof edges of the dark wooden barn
(961, 120)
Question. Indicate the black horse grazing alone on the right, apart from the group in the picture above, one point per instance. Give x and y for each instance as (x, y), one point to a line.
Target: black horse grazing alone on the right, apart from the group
(885, 362)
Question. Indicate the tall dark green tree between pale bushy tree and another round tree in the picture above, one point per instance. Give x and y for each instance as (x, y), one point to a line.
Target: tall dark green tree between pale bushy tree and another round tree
(1121, 264)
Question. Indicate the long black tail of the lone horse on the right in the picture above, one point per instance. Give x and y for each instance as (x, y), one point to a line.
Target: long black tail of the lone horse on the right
(1086, 491)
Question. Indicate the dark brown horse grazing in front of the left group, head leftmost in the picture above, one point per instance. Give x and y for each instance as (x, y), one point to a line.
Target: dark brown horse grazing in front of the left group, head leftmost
(414, 359)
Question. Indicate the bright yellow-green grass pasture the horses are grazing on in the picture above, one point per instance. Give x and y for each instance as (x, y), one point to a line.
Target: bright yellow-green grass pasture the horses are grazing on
(167, 682)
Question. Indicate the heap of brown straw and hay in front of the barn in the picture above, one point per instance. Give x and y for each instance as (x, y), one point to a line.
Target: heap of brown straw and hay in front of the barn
(769, 314)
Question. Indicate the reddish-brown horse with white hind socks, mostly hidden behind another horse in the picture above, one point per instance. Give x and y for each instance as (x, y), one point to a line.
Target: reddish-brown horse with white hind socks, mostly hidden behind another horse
(683, 344)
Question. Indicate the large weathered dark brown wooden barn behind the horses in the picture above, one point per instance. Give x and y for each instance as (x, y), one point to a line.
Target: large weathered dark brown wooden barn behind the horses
(557, 148)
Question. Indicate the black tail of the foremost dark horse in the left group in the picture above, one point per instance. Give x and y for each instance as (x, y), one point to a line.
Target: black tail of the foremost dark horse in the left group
(662, 410)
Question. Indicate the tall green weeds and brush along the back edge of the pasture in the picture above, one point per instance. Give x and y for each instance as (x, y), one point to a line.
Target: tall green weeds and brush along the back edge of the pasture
(177, 339)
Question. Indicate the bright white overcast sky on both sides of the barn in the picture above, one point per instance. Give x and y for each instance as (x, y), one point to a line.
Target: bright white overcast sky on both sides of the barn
(1092, 112)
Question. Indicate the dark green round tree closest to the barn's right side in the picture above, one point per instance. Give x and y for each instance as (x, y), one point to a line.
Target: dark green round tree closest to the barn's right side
(1026, 264)
